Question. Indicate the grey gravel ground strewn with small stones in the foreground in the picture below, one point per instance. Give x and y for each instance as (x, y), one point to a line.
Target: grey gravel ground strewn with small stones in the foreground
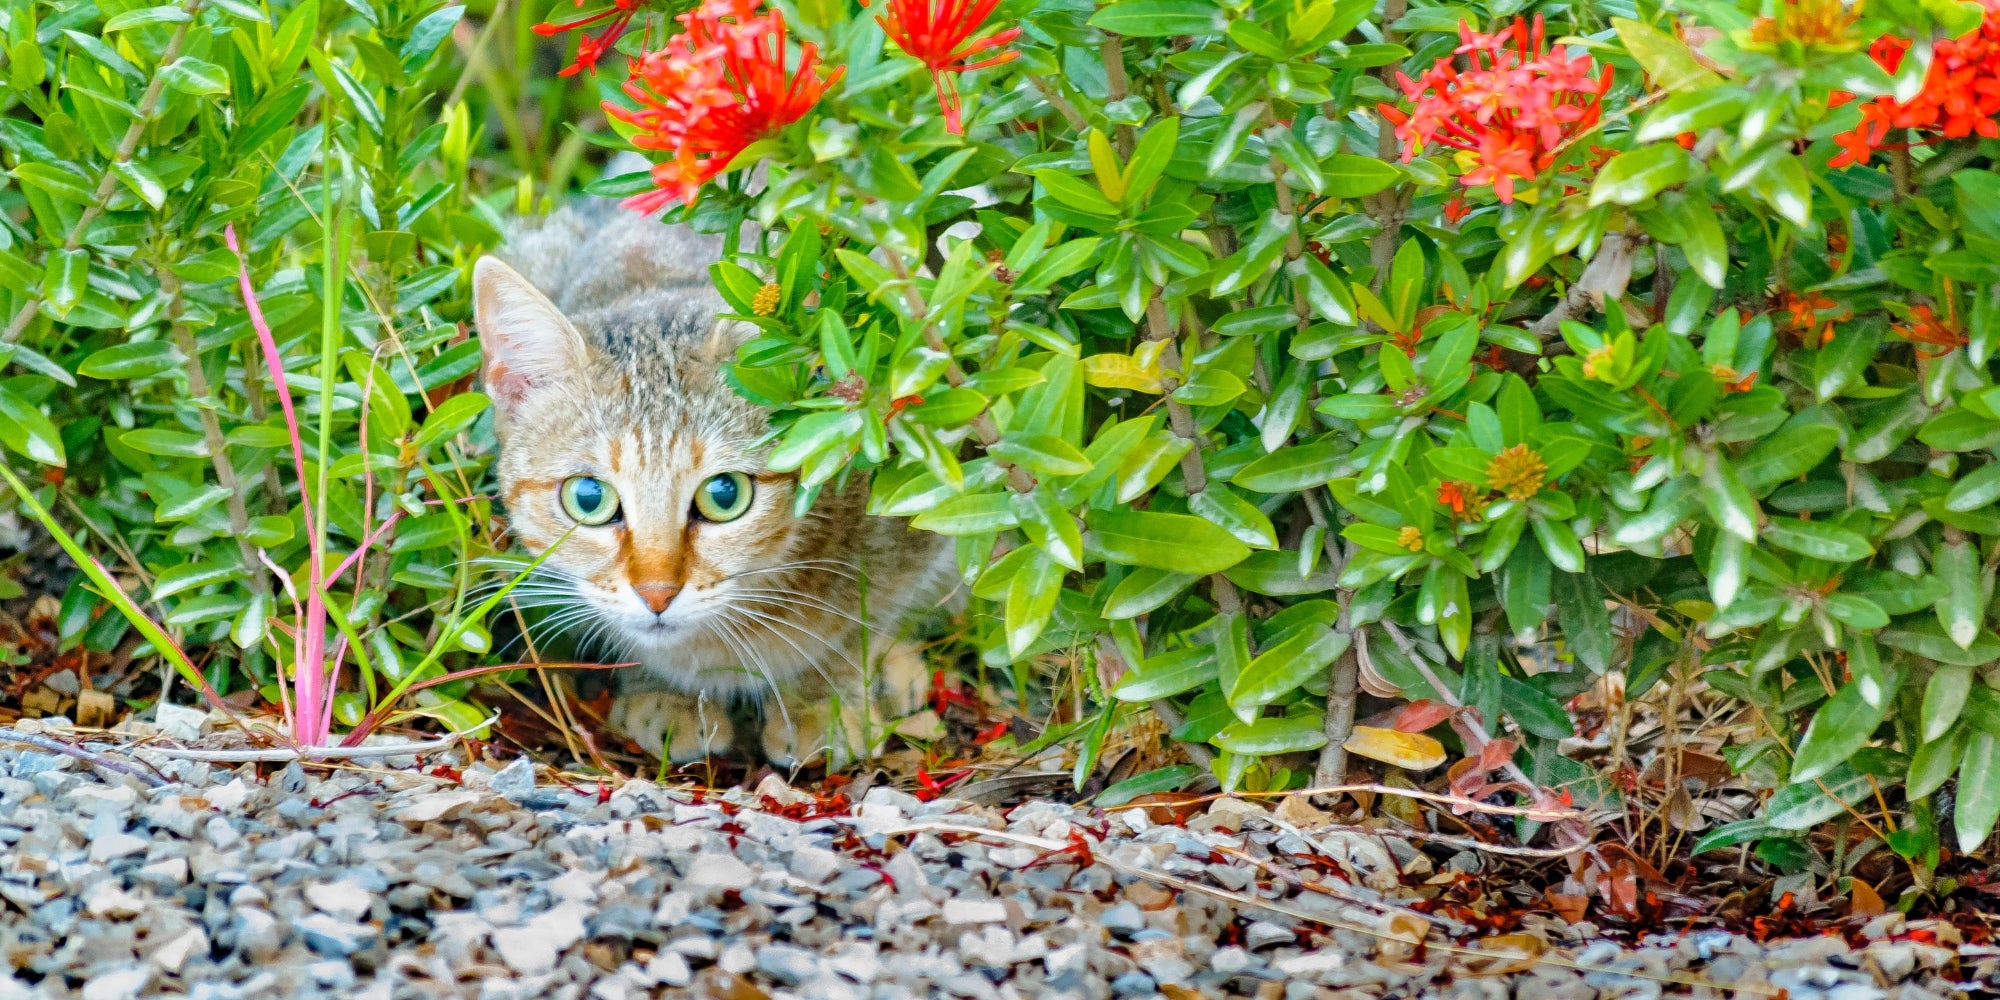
(485, 883)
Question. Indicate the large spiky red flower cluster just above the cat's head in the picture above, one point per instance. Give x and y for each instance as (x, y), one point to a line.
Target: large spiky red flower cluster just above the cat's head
(713, 91)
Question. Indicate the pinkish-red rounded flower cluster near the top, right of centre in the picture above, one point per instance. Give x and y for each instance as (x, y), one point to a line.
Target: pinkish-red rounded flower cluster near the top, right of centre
(1513, 107)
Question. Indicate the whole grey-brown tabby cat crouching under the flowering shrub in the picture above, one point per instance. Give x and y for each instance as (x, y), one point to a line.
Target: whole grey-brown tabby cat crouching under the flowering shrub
(605, 359)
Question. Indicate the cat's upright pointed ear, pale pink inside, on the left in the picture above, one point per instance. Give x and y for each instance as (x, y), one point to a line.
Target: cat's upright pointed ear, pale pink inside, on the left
(525, 339)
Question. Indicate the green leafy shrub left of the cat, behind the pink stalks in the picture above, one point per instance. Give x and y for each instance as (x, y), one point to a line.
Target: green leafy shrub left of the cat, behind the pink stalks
(335, 143)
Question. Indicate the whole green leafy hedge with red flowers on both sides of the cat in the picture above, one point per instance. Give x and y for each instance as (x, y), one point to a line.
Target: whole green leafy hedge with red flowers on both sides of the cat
(1243, 355)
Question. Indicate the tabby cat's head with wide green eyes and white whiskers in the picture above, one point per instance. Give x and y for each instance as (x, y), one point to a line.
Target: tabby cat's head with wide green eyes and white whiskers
(623, 443)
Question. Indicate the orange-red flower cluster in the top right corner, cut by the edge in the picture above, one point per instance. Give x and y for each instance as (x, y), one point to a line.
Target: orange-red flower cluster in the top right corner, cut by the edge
(1961, 93)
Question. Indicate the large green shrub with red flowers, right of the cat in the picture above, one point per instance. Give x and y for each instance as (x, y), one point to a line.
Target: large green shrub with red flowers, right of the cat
(1277, 351)
